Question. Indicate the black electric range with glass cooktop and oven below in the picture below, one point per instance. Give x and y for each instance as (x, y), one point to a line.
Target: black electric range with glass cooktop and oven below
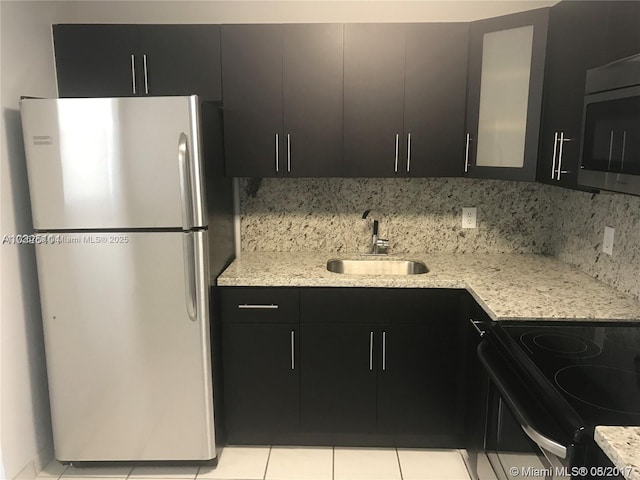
(556, 382)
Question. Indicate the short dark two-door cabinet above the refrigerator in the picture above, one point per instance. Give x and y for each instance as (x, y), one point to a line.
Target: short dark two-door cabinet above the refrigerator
(138, 60)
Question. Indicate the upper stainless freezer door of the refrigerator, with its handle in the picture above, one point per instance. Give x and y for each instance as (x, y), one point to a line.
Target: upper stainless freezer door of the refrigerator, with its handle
(114, 163)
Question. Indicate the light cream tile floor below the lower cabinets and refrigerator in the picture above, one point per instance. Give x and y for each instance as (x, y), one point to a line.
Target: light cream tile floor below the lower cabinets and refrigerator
(291, 463)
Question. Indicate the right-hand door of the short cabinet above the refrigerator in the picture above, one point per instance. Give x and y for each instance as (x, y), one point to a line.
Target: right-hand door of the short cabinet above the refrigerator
(180, 60)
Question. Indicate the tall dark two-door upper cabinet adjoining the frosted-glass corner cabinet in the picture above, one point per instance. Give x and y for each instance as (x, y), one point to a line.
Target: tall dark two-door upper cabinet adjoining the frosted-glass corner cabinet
(404, 99)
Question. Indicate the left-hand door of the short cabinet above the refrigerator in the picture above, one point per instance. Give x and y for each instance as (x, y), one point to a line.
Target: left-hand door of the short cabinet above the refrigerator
(96, 60)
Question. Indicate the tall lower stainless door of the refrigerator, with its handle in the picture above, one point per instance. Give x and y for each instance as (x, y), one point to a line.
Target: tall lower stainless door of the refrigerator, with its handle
(127, 345)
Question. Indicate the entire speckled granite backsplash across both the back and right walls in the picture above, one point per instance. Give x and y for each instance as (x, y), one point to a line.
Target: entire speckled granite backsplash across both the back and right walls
(424, 216)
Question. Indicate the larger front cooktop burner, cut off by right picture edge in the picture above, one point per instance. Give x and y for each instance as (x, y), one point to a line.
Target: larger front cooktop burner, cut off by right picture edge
(607, 388)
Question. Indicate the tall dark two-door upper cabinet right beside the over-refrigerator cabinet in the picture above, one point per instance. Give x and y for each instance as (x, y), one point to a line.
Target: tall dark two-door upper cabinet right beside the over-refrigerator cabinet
(283, 99)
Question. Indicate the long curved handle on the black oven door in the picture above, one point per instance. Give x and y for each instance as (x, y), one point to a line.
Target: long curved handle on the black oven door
(497, 374)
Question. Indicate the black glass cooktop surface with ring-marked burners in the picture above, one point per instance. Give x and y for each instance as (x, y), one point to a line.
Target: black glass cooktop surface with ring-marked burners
(596, 368)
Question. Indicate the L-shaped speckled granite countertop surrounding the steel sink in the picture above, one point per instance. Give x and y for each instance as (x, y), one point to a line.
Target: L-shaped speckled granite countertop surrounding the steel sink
(507, 286)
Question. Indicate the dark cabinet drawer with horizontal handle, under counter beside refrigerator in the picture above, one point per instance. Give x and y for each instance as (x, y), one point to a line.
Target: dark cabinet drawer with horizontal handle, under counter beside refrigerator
(259, 304)
